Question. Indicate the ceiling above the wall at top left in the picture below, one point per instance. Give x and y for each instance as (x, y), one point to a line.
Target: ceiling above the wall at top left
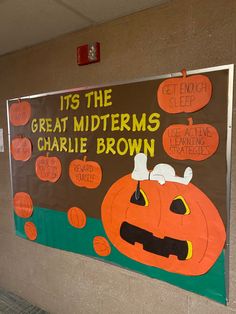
(25, 23)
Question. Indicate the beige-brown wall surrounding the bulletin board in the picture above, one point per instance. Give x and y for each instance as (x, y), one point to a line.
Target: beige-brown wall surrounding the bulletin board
(182, 33)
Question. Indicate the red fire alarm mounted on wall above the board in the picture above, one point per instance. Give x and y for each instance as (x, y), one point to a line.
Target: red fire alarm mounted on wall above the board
(88, 53)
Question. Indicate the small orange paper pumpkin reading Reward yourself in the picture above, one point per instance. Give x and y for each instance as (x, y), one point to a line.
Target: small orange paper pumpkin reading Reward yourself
(85, 173)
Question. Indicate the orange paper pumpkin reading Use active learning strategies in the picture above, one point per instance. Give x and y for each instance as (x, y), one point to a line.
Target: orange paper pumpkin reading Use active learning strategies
(194, 141)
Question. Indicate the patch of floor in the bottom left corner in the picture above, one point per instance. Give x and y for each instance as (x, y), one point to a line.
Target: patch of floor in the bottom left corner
(12, 304)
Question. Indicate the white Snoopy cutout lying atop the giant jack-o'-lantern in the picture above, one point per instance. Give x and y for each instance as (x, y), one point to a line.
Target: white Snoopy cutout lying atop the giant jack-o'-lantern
(161, 172)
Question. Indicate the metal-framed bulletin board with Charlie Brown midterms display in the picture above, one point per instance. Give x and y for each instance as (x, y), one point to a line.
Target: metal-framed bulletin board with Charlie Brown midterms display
(136, 174)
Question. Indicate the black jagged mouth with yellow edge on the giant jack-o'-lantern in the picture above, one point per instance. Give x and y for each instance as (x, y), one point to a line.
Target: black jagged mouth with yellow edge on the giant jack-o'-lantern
(163, 247)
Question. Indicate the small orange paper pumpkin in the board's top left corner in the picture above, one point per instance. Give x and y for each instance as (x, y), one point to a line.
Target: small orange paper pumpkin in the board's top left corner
(20, 113)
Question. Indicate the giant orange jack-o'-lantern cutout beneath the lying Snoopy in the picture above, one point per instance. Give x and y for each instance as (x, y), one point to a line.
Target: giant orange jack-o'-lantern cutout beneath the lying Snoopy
(171, 226)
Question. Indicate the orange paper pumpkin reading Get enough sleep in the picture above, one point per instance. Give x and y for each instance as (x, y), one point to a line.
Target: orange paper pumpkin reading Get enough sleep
(185, 94)
